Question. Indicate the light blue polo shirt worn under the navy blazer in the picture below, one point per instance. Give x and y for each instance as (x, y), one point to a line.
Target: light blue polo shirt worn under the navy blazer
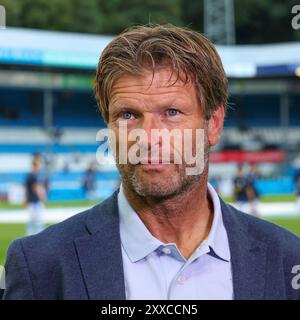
(154, 270)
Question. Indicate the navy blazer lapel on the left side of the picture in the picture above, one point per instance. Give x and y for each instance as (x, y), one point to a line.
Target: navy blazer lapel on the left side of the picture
(100, 253)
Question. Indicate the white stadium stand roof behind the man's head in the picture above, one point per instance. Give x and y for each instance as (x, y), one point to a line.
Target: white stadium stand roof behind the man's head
(65, 49)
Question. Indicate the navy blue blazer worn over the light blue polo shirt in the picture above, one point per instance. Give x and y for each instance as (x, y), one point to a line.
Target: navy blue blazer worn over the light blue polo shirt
(80, 258)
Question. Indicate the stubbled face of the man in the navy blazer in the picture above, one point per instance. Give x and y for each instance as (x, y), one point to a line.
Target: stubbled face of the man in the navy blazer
(147, 102)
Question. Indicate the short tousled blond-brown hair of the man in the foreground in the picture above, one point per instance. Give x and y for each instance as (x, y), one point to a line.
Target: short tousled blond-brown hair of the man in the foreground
(189, 54)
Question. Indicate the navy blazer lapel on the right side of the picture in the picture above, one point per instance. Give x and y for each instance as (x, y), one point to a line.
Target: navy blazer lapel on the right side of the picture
(248, 257)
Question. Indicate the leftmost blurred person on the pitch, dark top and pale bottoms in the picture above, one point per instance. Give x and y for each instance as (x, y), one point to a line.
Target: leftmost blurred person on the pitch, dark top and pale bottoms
(35, 195)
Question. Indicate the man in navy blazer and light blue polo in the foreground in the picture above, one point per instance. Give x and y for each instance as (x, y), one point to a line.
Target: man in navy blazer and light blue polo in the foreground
(165, 234)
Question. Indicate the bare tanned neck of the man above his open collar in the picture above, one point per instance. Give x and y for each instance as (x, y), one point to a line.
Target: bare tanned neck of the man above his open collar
(184, 219)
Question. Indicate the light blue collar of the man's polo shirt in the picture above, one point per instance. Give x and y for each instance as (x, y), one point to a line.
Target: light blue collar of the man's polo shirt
(138, 242)
